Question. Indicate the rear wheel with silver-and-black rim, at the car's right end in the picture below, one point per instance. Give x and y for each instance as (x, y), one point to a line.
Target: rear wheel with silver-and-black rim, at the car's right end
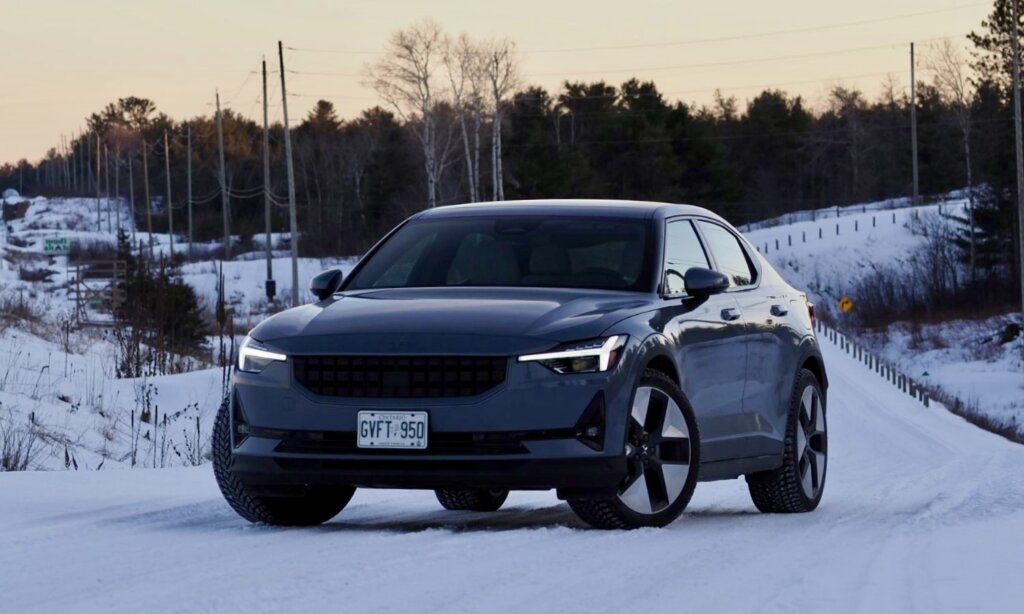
(798, 486)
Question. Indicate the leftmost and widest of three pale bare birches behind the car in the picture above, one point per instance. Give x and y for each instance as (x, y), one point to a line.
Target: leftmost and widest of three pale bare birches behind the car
(407, 79)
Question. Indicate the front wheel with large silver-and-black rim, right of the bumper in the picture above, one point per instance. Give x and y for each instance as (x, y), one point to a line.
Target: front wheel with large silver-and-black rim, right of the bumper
(663, 448)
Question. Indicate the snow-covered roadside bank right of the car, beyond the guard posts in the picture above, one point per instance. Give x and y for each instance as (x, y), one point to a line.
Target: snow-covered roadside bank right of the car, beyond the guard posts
(961, 358)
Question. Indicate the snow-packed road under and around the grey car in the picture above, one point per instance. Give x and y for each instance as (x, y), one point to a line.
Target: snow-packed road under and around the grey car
(922, 513)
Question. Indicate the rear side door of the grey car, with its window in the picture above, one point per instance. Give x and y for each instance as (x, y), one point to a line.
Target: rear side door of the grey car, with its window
(762, 314)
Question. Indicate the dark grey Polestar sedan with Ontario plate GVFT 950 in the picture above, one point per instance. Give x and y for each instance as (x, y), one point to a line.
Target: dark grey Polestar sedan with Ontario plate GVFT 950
(616, 352)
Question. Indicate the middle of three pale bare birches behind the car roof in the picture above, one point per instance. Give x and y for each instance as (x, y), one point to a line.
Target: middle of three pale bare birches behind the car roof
(463, 62)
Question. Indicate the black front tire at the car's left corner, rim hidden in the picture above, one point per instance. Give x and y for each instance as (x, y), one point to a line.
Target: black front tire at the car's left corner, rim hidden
(313, 508)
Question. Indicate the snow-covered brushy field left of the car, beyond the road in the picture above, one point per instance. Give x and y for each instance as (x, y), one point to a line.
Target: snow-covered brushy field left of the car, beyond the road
(59, 380)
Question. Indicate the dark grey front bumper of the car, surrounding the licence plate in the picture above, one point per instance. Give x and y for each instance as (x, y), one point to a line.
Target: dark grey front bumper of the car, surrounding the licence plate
(522, 435)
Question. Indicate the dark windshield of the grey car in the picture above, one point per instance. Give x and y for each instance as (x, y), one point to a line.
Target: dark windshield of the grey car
(519, 251)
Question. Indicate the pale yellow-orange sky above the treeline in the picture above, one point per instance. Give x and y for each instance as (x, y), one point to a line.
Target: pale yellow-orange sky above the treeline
(65, 60)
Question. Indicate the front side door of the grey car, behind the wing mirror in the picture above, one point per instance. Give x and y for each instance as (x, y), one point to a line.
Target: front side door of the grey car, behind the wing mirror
(710, 341)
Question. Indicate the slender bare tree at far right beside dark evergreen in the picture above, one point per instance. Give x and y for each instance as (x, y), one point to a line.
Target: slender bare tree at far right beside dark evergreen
(954, 83)
